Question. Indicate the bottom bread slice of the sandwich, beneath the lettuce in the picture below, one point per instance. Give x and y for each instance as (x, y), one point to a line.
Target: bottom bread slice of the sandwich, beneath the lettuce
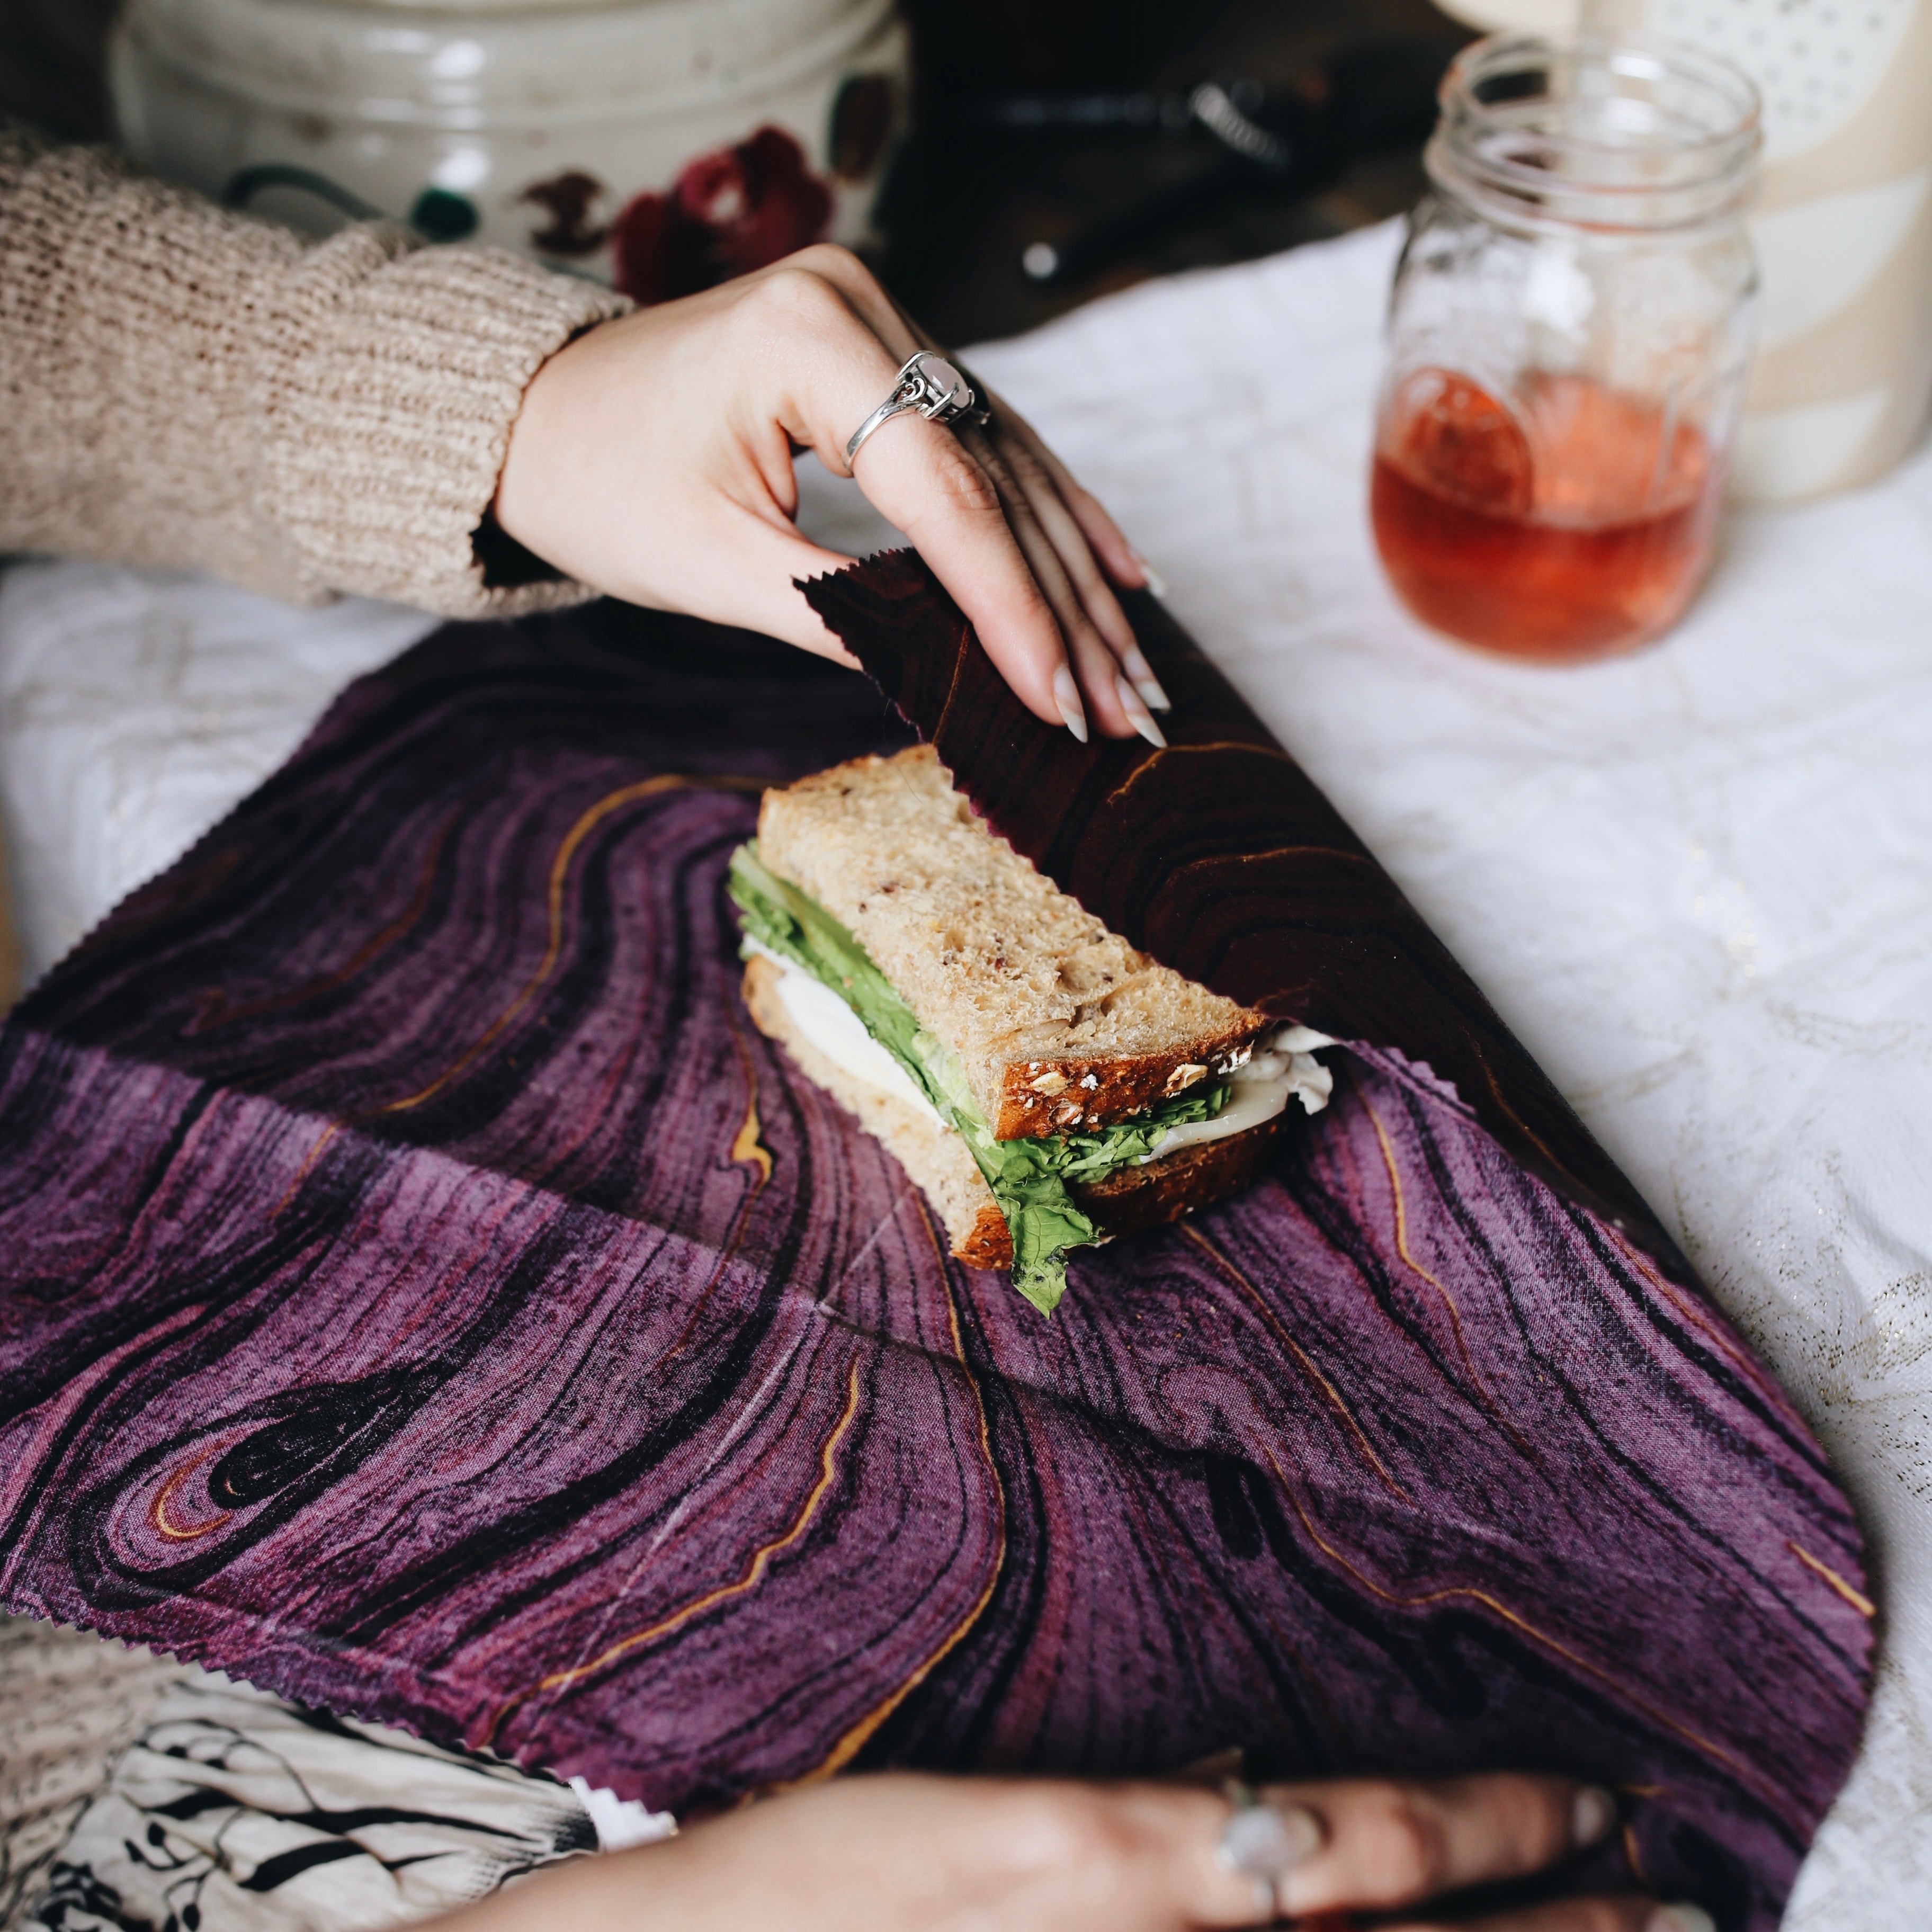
(942, 1166)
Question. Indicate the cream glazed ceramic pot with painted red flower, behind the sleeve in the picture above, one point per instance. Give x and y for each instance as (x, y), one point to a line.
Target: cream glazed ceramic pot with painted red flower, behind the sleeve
(658, 144)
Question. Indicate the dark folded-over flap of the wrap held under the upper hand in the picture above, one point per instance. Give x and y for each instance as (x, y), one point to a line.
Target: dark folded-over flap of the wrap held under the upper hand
(1226, 863)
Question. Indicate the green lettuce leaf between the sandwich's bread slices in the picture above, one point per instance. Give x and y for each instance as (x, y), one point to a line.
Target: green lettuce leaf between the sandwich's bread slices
(1029, 1178)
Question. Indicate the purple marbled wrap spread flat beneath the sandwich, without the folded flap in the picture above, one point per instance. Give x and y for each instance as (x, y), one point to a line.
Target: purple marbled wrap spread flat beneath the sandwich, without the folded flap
(428, 1297)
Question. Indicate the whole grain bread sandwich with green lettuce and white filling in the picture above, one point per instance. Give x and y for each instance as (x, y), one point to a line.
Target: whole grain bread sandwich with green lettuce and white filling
(1044, 1083)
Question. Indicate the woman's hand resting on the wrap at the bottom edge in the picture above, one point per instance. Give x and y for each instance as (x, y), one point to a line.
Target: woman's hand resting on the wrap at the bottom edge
(909, 1854)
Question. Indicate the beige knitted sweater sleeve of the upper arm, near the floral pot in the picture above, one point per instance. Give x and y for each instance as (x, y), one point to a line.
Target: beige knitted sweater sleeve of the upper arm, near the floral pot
(181, 385)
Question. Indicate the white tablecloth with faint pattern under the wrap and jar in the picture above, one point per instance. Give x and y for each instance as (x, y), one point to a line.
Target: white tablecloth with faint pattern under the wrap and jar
(1697, 882)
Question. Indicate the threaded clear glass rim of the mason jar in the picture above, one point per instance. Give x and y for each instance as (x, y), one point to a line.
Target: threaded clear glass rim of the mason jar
(1622, 132)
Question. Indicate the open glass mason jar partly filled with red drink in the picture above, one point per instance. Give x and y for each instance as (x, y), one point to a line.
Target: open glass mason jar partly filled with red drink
(1568, 345)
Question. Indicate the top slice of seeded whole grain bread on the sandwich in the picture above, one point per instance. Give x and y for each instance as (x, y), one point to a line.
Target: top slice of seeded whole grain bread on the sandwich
(1058, 1021)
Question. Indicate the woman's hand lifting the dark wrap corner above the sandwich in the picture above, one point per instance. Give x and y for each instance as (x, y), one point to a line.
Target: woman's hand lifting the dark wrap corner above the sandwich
(654, 461)
